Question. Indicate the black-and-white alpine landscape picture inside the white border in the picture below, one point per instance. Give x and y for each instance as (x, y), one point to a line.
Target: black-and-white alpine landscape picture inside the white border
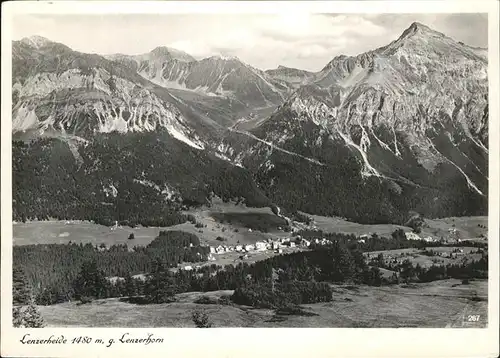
(251, 170)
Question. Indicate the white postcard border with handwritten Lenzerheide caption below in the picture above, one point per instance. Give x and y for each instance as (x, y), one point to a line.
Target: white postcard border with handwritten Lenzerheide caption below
(250, 342)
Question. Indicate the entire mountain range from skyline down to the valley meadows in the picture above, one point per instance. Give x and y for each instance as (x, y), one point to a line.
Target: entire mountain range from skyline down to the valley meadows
(371, 138)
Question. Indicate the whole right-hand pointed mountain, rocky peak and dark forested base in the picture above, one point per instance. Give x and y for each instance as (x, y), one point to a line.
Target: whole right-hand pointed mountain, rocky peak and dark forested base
(403, 127)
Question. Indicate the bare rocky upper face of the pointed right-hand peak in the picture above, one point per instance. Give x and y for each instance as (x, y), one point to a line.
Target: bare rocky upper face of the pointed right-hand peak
(423, 92)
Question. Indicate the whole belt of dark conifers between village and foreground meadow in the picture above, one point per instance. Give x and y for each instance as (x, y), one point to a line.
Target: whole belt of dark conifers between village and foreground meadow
(60, 273)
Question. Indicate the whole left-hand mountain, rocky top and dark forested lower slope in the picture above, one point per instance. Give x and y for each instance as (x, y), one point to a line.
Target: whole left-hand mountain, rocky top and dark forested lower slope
(106, 144)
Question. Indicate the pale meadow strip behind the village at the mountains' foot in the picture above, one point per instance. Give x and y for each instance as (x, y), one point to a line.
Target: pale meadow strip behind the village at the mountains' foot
(60, 232)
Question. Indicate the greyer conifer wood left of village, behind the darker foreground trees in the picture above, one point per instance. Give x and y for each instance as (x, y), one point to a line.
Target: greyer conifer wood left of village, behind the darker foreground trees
(51, 269)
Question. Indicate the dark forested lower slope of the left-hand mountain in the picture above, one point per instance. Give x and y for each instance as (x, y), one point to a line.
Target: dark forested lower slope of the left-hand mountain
(136, 179)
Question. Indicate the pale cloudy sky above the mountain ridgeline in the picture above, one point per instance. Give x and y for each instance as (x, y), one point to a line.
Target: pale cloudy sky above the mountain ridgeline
(301, 40)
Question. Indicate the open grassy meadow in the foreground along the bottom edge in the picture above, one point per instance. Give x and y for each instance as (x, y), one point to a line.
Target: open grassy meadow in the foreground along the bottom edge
(445, 303)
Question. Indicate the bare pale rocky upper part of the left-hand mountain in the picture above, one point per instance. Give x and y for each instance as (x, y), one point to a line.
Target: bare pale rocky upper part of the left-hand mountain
(56, 89)
